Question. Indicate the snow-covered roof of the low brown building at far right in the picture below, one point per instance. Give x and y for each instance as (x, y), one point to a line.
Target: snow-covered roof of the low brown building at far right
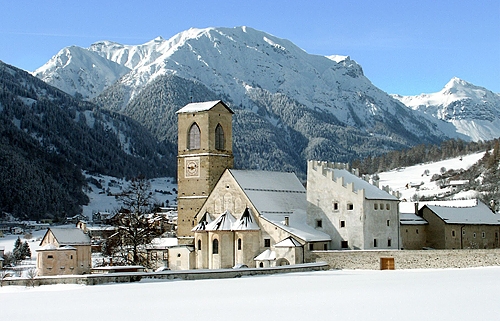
(478, 214)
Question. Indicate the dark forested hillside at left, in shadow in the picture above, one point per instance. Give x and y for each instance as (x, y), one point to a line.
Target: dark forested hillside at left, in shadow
(47, 138)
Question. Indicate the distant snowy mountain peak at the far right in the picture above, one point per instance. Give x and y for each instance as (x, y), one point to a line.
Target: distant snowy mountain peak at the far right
(474, 111)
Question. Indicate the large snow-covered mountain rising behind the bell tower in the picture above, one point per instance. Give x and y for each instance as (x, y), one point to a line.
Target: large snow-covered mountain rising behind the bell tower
(289, 105)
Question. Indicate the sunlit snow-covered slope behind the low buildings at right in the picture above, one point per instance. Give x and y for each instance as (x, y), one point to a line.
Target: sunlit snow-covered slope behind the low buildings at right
(398, 179)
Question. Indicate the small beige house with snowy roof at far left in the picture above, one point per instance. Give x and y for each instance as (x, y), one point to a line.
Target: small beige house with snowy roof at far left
(64, 251)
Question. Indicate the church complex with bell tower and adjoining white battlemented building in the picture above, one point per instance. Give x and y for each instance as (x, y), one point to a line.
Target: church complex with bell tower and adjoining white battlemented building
(229, 217)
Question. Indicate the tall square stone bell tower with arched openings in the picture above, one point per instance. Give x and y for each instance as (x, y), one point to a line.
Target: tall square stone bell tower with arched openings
(204, 152)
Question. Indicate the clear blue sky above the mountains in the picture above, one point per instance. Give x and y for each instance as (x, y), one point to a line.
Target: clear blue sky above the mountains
(405, 47)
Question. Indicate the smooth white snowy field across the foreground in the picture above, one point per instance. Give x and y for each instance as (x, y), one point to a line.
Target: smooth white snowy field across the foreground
(452, 294)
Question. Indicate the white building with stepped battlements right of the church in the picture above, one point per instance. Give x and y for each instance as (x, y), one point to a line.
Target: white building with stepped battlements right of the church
(355, 213)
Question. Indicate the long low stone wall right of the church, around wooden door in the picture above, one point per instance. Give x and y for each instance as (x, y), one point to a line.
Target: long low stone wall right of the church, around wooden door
(418, 259)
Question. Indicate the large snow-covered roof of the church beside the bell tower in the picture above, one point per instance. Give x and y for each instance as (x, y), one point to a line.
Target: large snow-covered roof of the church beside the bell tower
(276, 195)
